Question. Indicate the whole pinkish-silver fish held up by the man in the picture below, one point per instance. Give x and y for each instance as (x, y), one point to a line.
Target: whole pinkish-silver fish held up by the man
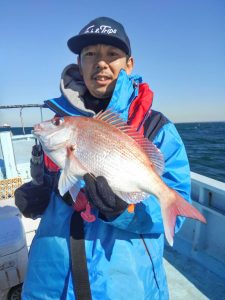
(105, 145)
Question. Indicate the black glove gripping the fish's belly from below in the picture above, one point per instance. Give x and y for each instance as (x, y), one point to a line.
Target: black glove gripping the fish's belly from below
(100, 195)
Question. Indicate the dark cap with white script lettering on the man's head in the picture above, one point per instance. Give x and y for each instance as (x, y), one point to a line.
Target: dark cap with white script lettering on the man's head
(102, 30)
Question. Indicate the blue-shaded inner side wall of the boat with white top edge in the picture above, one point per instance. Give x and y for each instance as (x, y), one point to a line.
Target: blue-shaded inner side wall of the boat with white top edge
(205, 242)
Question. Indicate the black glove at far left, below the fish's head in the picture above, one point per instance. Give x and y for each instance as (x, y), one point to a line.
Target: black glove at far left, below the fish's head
(32, 200)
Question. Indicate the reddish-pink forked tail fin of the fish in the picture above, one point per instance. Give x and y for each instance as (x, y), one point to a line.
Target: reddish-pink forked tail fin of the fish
(178, 207)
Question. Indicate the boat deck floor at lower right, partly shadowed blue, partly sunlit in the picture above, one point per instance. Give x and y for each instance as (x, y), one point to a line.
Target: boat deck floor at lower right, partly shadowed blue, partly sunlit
(188, 280)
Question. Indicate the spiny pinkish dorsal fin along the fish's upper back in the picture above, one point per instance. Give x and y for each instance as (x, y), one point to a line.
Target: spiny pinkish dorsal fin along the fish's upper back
(150, 149)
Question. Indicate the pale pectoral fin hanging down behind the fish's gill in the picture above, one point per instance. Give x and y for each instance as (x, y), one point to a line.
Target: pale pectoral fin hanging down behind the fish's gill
(72, 172)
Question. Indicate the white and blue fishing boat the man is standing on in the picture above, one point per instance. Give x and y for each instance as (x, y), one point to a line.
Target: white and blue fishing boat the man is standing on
(195, 265)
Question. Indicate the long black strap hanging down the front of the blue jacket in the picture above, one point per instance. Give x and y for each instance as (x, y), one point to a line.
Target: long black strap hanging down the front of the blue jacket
(78, 256)
